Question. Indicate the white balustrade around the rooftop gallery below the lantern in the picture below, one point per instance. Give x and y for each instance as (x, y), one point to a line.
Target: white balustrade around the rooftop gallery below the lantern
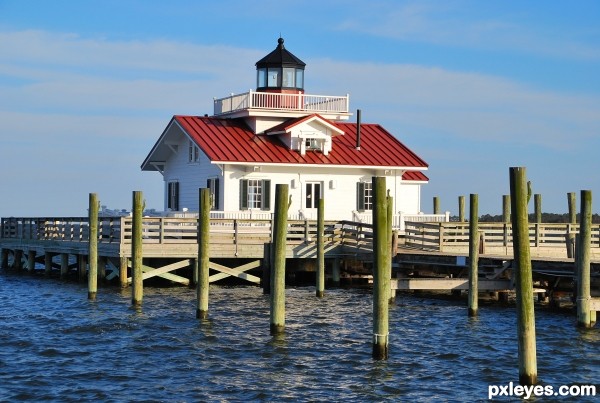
(286, 102)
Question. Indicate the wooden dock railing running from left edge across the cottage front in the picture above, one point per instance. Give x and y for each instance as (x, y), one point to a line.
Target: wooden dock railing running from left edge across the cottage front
(181, 230)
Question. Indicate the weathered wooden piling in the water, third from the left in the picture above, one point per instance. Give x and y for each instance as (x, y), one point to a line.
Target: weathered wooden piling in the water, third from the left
(203, 254)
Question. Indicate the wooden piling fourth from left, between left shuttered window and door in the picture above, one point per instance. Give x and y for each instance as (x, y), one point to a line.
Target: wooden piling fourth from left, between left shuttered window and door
(278, 272)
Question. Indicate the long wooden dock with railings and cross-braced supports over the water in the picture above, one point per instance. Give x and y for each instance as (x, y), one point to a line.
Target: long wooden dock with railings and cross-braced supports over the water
(430, 256)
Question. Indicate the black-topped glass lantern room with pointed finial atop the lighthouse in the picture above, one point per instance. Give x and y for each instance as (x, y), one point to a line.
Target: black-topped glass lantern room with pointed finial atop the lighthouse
(280, 71)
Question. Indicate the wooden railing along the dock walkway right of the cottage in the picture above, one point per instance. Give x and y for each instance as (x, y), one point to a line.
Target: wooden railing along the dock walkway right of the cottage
(544, 239)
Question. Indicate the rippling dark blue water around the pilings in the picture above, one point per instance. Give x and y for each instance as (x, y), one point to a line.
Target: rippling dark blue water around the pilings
(55, 345)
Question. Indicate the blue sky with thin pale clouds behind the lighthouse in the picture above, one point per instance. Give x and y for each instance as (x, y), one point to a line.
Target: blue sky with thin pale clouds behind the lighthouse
(473, 87)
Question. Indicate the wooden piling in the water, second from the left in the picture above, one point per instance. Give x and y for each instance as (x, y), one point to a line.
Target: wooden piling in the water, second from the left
(137, 283)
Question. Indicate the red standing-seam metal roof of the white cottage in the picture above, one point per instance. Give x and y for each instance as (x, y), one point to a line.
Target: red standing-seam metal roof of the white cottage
(231, 140)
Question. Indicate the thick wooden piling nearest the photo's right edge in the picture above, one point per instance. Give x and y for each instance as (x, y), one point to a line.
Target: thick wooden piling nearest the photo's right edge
(583, 261)
